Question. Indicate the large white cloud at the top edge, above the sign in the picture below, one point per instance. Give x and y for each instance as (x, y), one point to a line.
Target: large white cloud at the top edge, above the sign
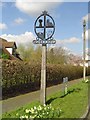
(32, 7)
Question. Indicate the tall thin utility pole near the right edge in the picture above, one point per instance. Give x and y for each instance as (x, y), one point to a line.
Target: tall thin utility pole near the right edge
(84, 49)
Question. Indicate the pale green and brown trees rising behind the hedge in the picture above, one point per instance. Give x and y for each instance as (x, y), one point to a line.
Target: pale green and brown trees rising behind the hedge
(55, 55)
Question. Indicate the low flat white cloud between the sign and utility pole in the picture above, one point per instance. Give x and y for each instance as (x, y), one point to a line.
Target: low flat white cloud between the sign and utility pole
(72, 40)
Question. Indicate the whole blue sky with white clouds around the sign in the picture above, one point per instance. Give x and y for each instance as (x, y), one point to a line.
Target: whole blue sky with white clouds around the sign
(18, 18)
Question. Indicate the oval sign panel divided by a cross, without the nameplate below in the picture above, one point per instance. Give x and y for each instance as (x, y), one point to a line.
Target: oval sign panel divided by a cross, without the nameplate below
(44, 26)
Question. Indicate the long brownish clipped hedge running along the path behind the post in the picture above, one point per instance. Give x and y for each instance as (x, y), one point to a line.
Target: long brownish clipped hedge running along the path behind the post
(21, 76)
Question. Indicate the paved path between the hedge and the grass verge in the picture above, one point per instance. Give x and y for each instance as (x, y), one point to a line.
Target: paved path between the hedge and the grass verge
(19, 101)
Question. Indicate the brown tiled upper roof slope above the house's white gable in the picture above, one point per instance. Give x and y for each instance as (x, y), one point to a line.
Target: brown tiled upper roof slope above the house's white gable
(7, 44)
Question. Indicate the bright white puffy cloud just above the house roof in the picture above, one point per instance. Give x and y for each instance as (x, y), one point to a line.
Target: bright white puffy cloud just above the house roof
(24, 39)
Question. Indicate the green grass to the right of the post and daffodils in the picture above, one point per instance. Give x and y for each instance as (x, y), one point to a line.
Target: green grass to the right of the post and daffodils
(74, 104)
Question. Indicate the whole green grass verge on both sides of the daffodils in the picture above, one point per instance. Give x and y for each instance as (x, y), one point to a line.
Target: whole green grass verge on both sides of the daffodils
(72, 105)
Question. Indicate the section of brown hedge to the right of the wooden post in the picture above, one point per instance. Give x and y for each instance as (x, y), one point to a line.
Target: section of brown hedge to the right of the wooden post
(56, 73)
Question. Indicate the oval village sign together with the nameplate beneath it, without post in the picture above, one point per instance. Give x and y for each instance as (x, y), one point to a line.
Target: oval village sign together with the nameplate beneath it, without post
(45, 22)
